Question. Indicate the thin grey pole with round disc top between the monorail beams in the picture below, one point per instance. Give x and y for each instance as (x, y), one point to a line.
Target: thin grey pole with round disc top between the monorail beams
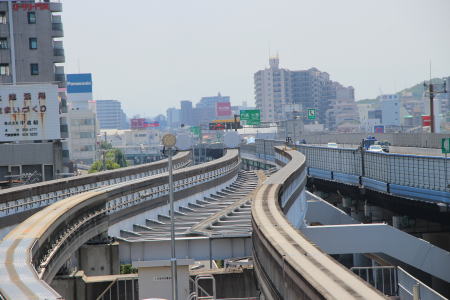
(169, 141)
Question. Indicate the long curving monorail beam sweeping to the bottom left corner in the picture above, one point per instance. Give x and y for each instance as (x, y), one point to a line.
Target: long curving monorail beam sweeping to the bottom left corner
(32, 253)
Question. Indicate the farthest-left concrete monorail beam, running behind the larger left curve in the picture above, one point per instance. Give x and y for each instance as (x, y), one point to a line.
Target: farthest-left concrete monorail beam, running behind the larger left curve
(18, 203)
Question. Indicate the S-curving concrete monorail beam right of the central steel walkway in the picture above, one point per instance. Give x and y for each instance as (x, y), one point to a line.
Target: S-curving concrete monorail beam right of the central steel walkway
(287, 265)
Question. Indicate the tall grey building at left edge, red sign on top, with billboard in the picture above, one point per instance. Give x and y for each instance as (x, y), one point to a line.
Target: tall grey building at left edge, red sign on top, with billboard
(31, 71)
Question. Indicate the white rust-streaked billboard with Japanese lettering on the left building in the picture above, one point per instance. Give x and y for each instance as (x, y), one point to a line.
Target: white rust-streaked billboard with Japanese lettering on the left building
(29, 112)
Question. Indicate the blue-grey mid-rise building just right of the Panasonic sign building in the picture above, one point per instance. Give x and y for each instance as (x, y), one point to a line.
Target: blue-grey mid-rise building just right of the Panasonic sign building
(110, 114)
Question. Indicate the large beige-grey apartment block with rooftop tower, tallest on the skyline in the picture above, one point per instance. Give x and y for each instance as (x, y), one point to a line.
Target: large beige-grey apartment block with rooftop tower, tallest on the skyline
(281, 94)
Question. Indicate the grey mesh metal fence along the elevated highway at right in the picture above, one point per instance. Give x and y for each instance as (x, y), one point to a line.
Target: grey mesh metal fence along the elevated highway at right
(425, 172)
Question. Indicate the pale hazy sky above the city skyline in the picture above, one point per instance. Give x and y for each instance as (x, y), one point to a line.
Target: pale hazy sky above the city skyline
(150, 54)
